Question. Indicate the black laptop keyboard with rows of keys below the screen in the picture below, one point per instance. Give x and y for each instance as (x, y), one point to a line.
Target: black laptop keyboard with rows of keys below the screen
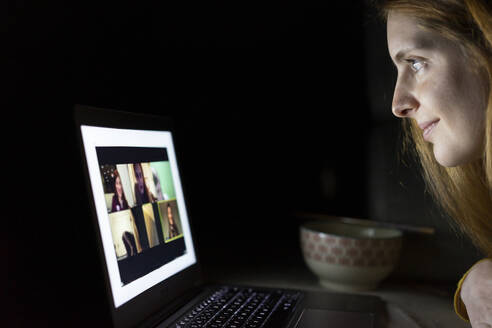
(233, 307)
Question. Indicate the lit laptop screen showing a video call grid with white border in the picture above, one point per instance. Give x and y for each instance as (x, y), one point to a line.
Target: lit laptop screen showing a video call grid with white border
(140, 207)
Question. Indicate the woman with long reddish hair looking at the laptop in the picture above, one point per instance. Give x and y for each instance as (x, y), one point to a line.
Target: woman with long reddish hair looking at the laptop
(442, 50)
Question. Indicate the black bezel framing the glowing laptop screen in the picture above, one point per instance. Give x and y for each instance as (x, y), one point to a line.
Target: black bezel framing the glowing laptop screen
(159, 297)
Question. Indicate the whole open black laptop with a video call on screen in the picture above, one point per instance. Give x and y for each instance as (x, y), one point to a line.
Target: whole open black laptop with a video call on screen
(147, 246)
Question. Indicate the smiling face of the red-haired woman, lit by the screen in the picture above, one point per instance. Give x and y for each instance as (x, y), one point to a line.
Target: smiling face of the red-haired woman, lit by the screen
(439, 88)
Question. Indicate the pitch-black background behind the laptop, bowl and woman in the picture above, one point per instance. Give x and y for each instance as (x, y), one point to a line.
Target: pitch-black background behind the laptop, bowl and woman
(281, 107)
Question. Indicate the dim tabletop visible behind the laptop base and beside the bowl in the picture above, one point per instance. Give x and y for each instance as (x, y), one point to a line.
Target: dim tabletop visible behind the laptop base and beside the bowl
(408, 305)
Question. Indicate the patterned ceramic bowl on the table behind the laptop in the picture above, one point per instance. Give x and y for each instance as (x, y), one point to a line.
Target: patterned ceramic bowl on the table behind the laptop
(348, 257)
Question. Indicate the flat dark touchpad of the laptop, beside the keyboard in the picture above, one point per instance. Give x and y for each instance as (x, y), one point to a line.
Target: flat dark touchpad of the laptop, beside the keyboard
(335, 319)
